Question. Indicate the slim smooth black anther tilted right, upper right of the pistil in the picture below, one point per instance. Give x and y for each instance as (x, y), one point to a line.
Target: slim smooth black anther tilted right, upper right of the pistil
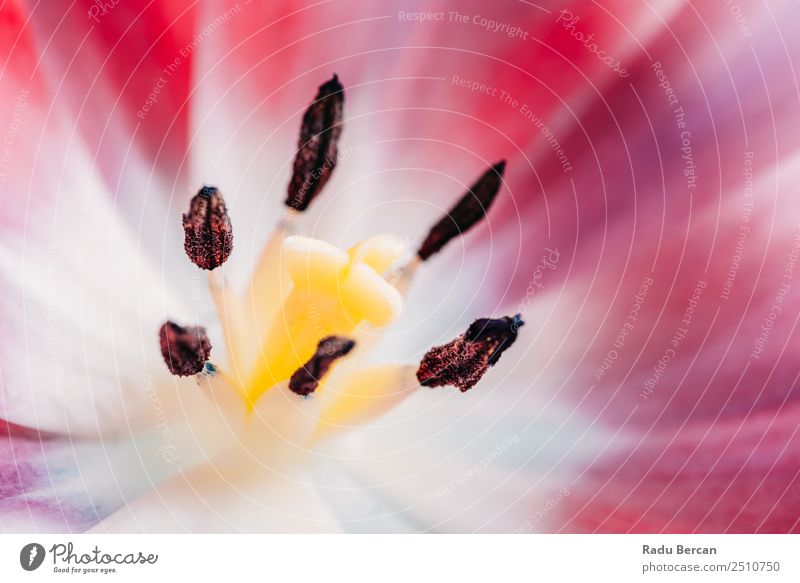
(472, 207)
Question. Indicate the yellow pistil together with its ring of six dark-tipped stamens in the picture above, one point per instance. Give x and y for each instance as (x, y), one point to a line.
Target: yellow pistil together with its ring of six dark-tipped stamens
(310, 303)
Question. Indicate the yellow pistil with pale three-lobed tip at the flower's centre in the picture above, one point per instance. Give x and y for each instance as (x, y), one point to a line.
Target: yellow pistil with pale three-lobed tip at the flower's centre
(333, 292)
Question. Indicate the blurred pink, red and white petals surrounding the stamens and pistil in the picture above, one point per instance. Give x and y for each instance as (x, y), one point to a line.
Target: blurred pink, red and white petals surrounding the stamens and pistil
(648, 232)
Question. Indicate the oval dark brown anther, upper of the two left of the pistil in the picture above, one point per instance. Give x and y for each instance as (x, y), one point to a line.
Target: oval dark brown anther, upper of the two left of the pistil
(207, 227)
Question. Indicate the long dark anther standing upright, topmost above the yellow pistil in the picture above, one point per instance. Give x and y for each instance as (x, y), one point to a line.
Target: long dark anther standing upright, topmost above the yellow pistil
(318, 146)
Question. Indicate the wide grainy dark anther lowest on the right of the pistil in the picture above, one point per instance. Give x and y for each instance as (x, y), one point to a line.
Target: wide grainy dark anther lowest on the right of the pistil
(463, 361)
